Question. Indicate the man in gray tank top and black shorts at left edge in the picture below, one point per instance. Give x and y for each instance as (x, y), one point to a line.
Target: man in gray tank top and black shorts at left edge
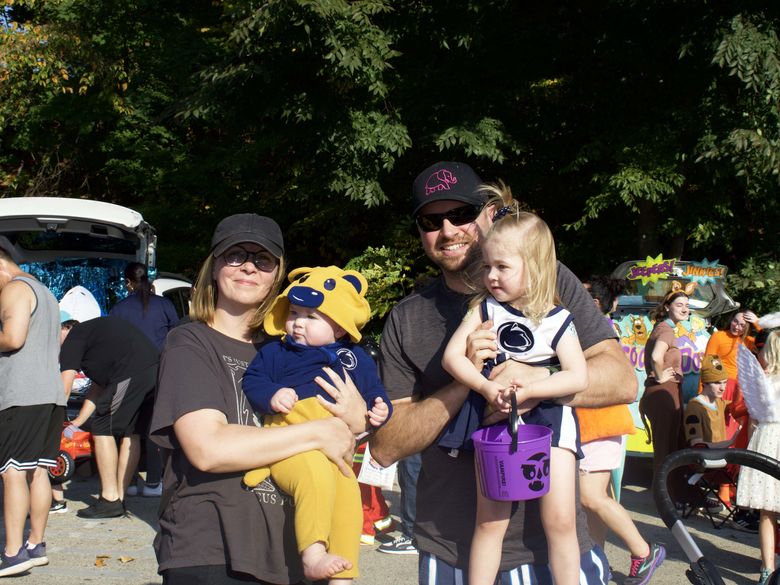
(32, 409)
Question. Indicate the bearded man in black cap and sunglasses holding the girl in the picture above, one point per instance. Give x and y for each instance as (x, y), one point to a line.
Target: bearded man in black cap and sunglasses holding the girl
(450, 219)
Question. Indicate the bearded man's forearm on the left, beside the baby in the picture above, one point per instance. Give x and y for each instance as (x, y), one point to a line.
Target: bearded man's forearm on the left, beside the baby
(415, 424)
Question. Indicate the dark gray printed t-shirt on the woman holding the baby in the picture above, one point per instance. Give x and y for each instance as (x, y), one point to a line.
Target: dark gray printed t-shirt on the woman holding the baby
(209, 519)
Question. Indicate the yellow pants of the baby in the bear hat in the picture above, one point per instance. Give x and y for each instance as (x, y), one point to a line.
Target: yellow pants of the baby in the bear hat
(327, 504)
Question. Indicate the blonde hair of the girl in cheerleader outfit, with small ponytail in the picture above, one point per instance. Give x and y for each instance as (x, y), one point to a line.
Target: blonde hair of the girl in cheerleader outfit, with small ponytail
(527, 235)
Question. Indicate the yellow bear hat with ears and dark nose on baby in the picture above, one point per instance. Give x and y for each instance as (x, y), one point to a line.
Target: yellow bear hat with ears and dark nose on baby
(339, 294)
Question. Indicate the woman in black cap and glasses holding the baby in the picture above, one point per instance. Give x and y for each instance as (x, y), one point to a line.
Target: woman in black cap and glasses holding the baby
(211, 530)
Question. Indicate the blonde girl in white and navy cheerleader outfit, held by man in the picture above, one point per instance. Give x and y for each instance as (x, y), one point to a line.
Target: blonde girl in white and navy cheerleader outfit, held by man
(518, 293)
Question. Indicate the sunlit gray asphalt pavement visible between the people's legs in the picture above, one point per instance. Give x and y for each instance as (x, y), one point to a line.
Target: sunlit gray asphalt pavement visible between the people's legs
(110, 552)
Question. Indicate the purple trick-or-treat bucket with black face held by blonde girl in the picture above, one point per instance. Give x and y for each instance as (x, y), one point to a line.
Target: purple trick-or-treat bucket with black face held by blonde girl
(513, 461)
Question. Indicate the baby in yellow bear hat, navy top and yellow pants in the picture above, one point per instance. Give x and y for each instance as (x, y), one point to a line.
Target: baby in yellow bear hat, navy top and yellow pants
(319, 316)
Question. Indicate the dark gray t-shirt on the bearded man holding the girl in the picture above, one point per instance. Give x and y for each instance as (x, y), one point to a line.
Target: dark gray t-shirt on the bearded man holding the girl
(413, 343)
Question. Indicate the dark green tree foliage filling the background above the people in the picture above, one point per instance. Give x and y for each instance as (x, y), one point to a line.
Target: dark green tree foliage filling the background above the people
(634, 128)
